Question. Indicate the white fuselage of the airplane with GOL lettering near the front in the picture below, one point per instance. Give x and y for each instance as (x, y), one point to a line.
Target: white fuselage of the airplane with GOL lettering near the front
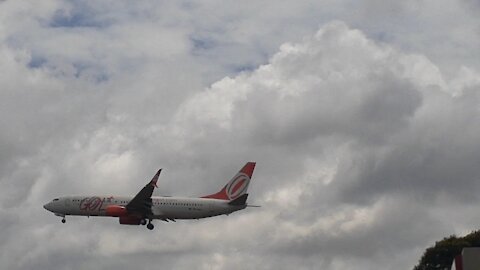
(162, 207)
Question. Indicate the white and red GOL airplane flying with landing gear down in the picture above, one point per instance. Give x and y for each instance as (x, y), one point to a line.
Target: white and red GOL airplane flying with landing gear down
(143, 208)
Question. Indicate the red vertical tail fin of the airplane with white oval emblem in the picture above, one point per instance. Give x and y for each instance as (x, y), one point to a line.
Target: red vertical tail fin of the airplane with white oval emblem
(236, 187)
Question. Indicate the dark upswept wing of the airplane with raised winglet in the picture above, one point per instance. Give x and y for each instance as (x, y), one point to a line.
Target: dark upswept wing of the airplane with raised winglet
(142, 202)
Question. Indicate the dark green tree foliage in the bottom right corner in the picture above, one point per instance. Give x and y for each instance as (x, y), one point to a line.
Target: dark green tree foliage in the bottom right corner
(441, 255)
